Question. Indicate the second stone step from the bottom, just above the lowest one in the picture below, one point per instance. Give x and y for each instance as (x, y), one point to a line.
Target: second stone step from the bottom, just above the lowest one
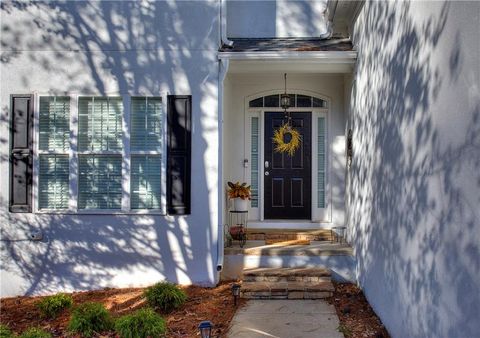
(286, 275)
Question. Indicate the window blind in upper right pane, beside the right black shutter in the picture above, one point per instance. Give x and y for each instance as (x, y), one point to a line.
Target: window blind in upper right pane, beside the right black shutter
(146, 124)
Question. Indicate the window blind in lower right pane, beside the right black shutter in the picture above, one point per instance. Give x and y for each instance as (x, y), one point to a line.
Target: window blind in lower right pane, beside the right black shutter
(145, 181)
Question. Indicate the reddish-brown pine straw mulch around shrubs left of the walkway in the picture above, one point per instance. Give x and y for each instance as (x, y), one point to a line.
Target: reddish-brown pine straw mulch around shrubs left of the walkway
(214, 304)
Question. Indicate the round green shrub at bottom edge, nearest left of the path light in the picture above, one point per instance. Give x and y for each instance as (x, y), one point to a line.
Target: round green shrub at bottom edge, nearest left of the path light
(142, 323)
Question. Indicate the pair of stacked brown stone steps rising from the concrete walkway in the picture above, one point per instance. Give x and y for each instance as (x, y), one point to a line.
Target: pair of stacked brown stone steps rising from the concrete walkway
(287, 283)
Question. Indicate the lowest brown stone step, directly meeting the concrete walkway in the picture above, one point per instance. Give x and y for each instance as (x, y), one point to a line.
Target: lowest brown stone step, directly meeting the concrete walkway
(287, 290)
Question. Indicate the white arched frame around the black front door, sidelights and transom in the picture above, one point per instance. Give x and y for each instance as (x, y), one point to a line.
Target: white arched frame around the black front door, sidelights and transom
(318, 215)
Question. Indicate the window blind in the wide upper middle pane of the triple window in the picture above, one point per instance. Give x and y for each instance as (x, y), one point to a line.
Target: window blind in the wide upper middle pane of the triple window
(100, 123)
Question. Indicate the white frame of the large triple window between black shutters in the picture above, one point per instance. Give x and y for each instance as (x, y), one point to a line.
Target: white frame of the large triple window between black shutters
(73, 156)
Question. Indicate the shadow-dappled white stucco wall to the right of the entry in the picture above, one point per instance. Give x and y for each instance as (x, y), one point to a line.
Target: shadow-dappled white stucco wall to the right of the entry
(415, 183)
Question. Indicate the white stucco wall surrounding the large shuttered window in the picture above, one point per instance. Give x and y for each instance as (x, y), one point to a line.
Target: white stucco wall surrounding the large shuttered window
(113, 48)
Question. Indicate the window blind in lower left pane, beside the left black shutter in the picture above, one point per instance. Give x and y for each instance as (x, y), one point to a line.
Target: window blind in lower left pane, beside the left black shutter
(53, 182)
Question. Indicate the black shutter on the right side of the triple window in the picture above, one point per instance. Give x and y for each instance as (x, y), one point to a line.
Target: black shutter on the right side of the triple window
(179, 145)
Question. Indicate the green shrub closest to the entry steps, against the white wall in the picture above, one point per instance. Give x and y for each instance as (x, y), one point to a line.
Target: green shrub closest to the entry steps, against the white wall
(165, 296)
